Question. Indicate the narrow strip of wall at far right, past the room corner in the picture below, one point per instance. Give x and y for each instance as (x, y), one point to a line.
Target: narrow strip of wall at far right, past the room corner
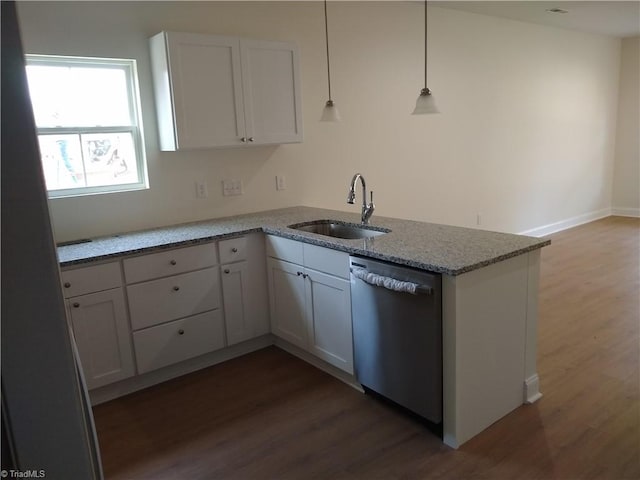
(626, 186)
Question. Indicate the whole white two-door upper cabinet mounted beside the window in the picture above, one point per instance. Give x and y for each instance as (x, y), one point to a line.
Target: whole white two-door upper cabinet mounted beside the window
(214, 91)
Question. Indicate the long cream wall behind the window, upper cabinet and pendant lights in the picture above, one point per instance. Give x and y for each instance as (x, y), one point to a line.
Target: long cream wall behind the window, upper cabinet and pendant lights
(526, 137)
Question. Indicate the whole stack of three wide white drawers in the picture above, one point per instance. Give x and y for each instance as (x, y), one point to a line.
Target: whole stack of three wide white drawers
(175, 305)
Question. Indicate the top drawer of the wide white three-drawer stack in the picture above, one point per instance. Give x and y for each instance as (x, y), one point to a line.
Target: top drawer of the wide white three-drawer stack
(170, 262)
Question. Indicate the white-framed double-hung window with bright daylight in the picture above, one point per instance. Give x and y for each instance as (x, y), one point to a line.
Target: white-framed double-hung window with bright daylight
(89, 128)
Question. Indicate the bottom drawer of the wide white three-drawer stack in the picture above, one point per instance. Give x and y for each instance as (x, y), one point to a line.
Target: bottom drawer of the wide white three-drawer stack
(173, 342)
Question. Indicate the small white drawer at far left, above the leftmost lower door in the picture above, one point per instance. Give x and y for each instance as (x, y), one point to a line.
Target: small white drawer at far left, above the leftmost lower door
(91, 279)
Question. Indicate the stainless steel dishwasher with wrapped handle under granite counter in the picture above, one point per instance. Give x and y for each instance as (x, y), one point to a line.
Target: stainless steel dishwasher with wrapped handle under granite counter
(397, 334)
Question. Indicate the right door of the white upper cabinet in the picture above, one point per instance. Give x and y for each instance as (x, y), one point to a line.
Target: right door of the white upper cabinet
(271, 87)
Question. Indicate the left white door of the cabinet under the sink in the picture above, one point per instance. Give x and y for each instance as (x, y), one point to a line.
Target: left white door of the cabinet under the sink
(287, 295)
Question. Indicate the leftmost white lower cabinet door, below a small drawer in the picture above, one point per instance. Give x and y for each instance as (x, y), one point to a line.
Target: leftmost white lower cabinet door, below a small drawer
(103, 337)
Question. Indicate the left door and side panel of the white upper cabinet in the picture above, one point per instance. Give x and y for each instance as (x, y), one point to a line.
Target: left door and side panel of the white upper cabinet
(198, 85)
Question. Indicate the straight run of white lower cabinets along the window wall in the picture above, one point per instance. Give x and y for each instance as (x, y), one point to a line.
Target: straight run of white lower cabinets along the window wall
(153, 310)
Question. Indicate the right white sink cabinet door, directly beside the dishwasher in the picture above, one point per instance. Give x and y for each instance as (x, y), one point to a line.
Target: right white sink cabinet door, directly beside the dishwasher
(329, 308)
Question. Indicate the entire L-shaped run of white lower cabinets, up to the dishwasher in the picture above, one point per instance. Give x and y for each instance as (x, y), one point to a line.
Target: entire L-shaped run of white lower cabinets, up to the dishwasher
(150, 311)
